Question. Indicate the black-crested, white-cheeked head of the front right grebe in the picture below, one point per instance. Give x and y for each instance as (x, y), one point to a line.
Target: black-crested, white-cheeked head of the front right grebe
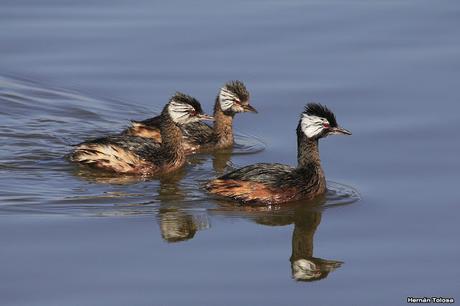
(318, 121)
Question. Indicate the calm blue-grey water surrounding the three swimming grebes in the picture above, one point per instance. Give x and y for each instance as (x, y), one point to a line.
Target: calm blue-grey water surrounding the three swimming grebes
(72, 70)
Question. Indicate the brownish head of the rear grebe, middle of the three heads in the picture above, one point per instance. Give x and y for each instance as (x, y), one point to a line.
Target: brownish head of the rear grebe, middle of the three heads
(234, 98)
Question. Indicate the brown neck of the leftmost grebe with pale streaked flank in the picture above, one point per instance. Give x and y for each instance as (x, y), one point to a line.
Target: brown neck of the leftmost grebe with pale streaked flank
(171, 140)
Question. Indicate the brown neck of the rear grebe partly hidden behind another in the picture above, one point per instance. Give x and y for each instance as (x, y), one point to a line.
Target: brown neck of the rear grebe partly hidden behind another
(223, 126)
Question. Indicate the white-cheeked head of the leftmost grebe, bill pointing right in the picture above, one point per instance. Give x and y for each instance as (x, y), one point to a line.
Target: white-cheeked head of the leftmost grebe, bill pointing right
(185, 109)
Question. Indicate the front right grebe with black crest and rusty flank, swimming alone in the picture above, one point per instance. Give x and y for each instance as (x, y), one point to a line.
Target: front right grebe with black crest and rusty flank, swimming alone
(276, 183)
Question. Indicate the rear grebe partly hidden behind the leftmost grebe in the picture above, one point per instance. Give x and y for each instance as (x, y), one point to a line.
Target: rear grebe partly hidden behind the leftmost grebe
(233, 98)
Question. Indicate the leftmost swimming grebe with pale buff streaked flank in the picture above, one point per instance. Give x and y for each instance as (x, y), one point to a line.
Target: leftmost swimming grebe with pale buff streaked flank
(137, 155)
